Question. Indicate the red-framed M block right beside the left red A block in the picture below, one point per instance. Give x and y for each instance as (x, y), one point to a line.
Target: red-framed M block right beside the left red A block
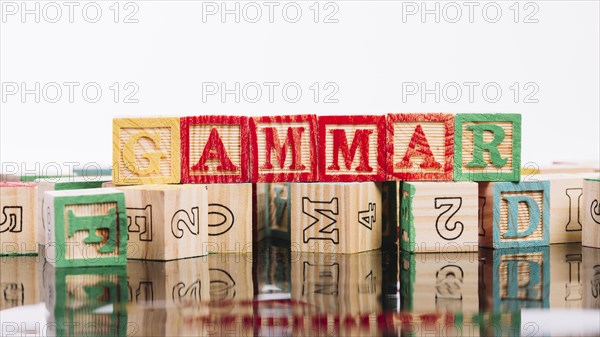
(283, 148)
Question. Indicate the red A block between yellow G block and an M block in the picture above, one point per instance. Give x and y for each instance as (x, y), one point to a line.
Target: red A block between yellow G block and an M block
(214, 149)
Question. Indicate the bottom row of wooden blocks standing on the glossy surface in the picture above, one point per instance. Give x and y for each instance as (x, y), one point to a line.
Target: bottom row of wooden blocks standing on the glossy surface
(163, 222)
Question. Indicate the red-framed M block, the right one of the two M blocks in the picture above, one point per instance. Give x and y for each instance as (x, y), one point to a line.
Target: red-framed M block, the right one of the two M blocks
(351, 148)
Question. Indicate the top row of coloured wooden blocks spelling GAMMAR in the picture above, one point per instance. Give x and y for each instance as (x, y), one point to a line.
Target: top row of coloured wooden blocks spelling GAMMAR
(308, 148)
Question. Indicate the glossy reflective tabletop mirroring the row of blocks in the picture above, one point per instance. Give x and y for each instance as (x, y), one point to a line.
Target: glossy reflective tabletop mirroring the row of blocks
(274, 292)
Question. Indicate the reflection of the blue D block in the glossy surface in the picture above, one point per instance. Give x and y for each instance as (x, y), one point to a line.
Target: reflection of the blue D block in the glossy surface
(512, 279)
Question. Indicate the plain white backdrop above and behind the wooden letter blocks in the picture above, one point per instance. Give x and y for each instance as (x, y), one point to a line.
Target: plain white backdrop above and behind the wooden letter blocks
(372, 55)
